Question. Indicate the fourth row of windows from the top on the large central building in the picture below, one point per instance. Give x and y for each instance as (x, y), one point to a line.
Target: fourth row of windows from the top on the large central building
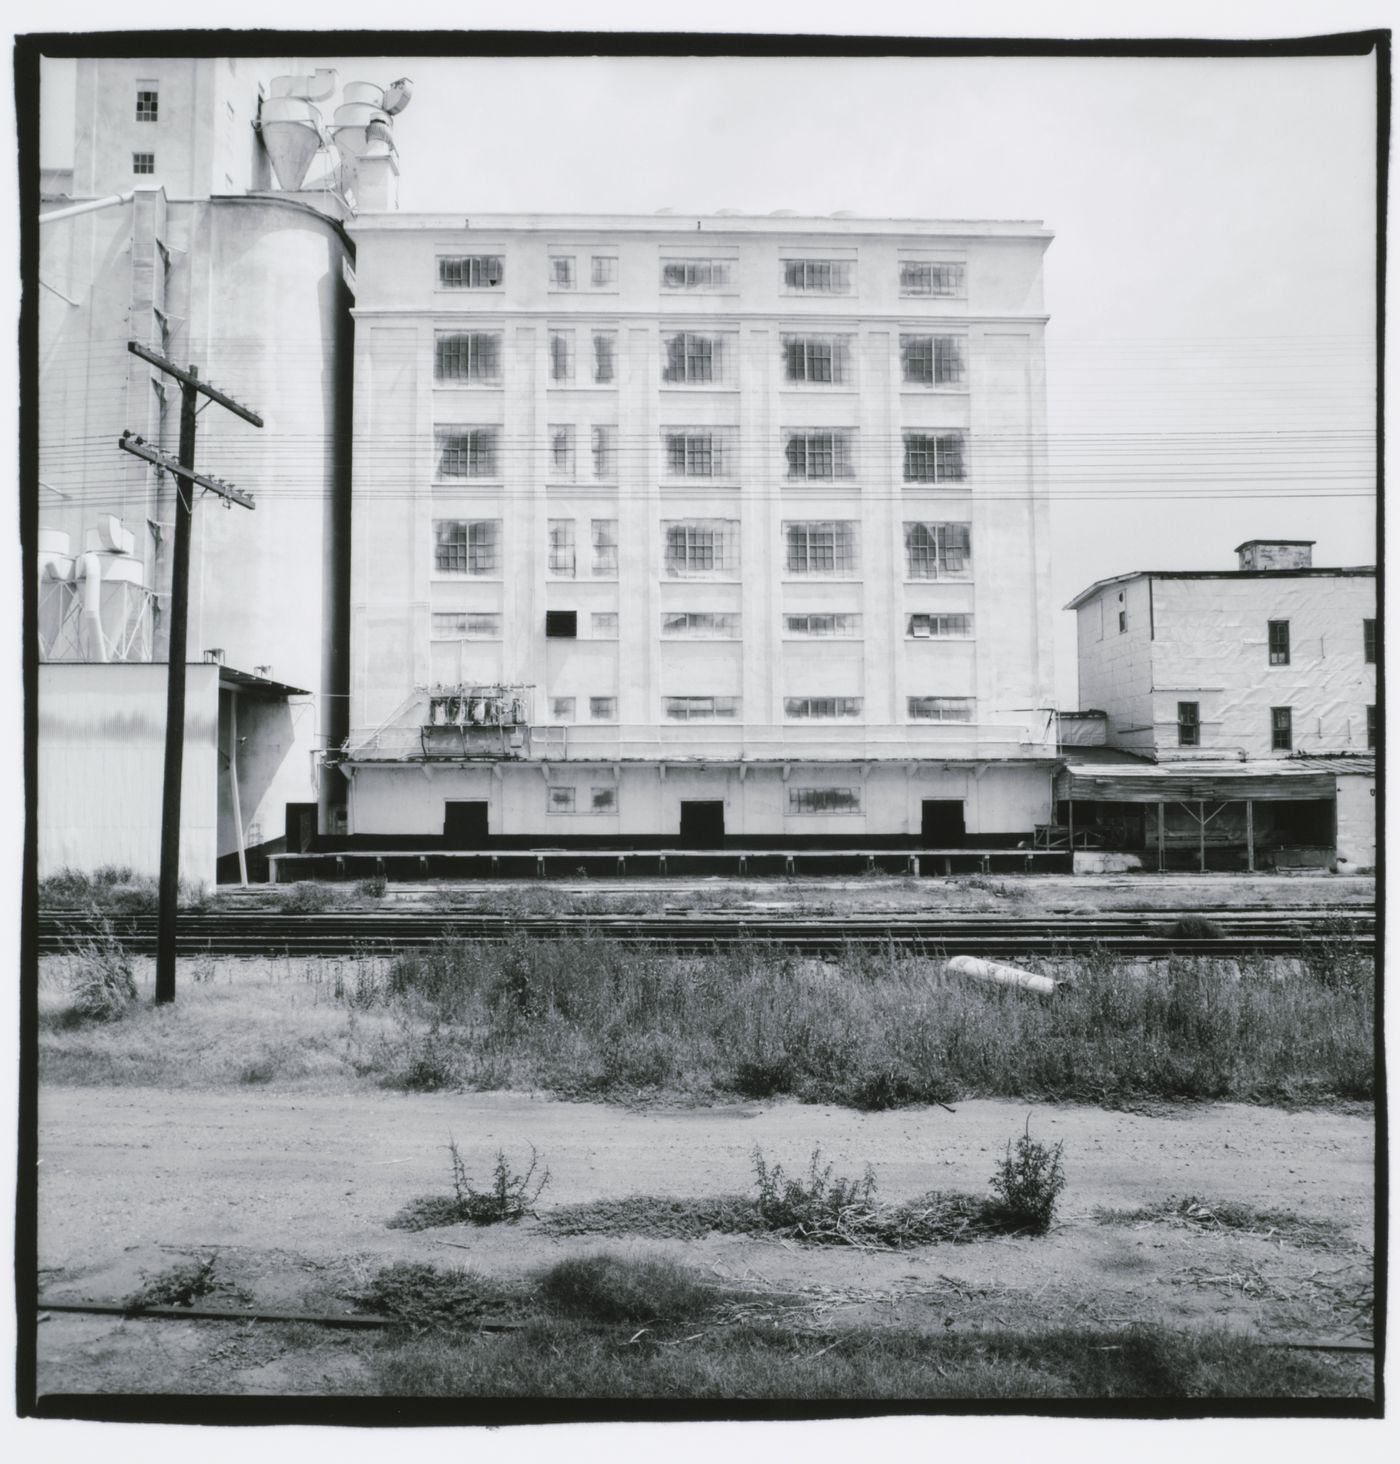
(710, 547)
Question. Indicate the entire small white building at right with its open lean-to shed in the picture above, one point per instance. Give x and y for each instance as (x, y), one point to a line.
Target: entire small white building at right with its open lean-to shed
(1247, 687)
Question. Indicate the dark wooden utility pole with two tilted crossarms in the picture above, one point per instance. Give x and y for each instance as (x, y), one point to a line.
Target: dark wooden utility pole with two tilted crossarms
(185, 482)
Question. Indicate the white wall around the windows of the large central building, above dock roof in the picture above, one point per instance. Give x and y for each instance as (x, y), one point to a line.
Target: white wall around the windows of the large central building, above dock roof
(1005, 665)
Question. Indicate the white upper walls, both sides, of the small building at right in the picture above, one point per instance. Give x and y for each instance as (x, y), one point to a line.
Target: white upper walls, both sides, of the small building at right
(1152, 642)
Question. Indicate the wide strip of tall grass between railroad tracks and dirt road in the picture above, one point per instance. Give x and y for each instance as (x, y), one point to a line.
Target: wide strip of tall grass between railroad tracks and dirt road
(887, 1028)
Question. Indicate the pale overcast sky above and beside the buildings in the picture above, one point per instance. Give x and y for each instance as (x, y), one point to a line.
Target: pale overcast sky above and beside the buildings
(1210, 286)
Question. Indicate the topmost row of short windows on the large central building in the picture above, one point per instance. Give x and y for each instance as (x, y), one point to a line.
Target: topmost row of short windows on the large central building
(917, 277)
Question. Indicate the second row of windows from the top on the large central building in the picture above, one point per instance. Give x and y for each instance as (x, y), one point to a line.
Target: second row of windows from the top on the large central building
(695, 358)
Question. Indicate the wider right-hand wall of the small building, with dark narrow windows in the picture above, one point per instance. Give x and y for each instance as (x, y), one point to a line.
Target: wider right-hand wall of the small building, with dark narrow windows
(1212, 648)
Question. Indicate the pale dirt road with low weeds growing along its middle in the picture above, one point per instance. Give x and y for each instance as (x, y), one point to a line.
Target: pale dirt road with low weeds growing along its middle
(294, 1192)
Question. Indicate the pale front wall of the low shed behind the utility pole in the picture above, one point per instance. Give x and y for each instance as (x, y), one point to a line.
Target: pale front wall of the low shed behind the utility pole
(102, 765)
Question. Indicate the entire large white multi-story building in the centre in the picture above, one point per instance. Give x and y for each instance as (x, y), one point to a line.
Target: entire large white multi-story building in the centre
(699, 526)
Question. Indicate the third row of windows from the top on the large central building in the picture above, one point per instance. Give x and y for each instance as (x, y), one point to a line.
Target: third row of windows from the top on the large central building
(812, 455)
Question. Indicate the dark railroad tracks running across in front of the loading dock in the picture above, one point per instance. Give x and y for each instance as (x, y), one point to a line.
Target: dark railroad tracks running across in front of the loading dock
(343, 933)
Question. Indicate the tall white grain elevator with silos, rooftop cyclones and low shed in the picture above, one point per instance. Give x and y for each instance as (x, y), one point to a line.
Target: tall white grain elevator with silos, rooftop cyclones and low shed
(203, 219)
